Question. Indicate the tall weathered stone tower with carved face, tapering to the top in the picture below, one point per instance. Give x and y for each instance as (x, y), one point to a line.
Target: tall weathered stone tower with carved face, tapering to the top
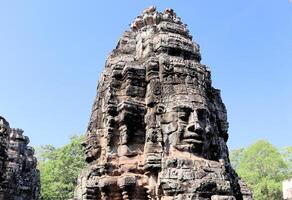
(158, 129)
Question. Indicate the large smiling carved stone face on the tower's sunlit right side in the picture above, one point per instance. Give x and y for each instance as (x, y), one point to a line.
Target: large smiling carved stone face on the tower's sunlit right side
(188, 128)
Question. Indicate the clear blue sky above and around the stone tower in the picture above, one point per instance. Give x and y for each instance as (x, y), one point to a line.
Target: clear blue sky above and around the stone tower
(52, 52)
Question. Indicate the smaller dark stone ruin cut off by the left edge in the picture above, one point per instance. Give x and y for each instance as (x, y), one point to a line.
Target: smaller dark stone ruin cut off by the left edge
(19, 179)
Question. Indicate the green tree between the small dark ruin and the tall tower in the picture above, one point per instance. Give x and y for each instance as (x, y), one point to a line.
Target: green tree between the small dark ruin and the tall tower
(59, 169)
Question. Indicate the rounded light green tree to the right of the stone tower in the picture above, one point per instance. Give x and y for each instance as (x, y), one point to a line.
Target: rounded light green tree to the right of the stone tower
(263, 168)
